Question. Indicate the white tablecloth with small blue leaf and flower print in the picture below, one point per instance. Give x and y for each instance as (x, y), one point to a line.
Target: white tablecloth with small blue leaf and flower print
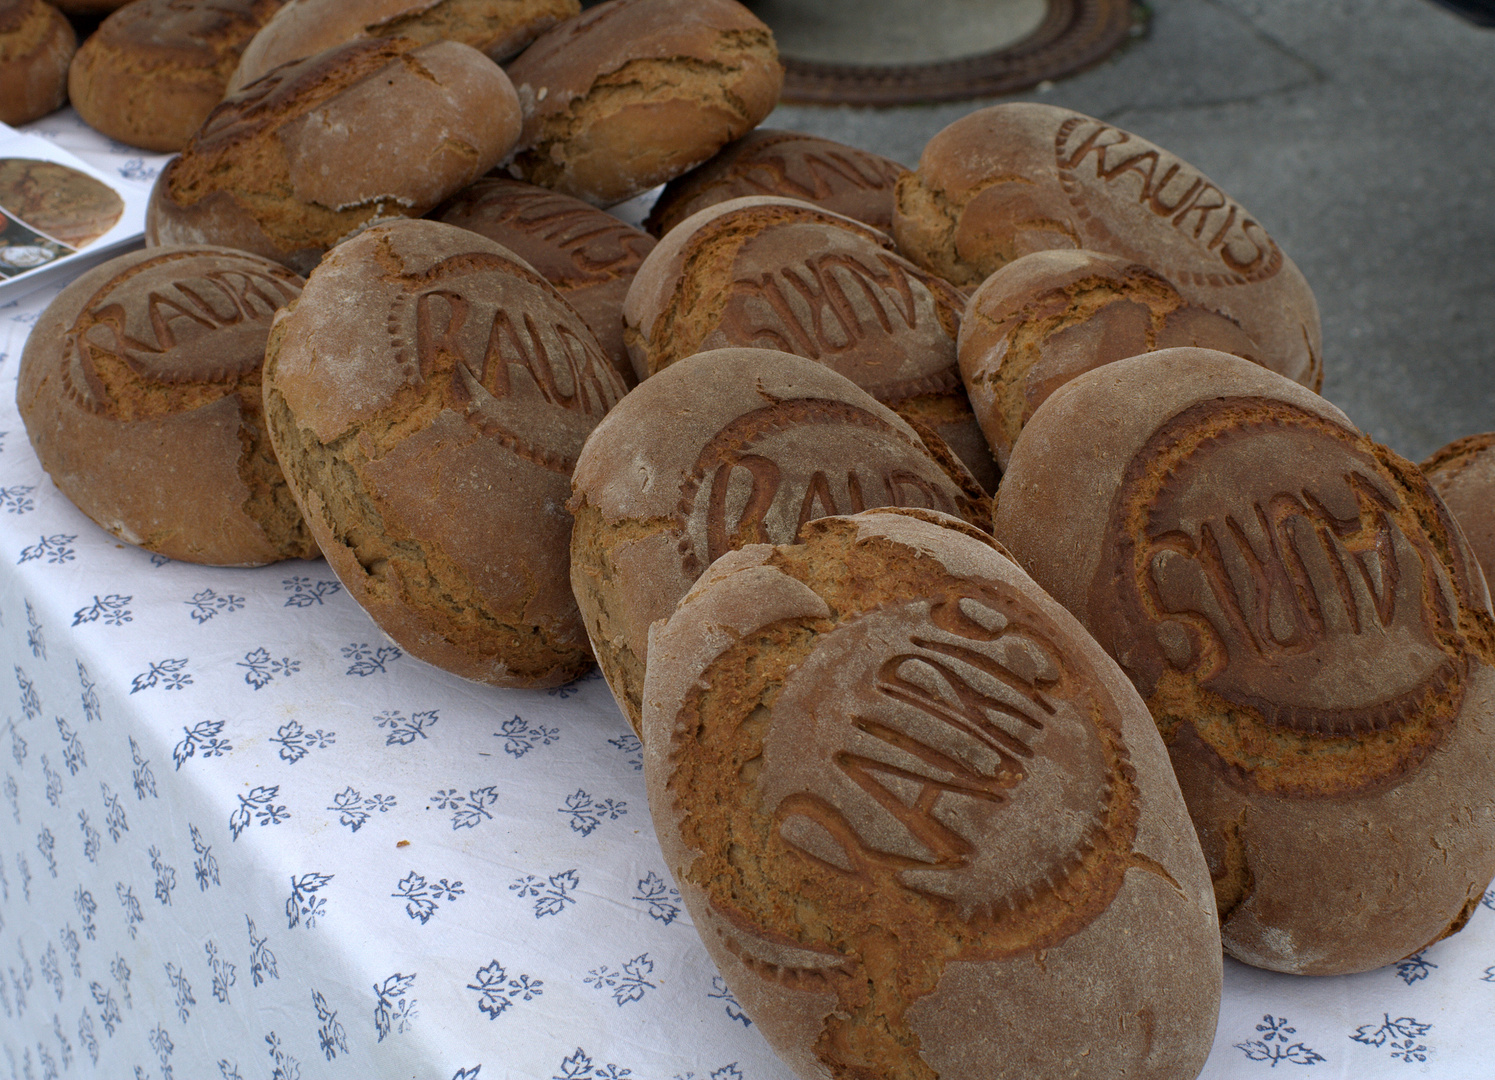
(244, 837)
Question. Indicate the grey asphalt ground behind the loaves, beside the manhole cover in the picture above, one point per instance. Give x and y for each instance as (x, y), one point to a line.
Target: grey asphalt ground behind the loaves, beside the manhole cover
(1360, 132)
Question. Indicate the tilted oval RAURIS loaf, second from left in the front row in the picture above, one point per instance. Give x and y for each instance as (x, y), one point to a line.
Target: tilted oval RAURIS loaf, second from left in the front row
(433, 458)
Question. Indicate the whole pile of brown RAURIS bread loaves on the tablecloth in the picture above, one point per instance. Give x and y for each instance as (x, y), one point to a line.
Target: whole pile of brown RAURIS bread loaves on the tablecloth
(992, 656)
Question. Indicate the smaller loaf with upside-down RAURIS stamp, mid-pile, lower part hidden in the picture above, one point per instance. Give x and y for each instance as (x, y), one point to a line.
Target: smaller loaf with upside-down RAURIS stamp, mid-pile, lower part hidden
(784, 274)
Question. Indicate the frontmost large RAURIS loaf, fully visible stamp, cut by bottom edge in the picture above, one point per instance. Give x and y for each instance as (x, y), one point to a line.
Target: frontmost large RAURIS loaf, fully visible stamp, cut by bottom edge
(922, 822)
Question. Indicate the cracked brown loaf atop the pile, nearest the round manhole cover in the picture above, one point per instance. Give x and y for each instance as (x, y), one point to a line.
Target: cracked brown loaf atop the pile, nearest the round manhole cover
(636, 92)
